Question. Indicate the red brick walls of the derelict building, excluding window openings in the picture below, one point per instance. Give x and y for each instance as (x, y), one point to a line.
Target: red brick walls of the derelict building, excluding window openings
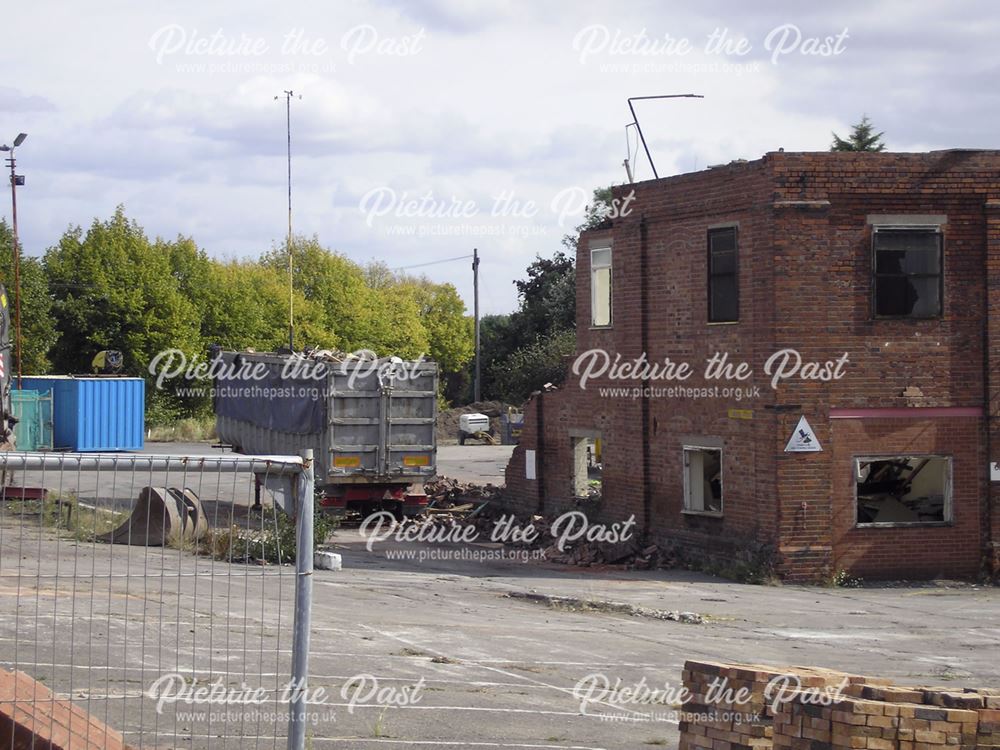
(805, 283)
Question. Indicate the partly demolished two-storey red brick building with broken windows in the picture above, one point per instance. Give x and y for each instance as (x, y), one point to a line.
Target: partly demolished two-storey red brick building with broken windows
(890, 259)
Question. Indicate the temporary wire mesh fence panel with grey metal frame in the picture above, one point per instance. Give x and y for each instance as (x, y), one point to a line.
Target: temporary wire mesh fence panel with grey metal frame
(150, 593)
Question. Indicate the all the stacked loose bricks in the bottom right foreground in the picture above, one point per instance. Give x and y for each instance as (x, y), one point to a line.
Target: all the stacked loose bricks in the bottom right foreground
(828, 710)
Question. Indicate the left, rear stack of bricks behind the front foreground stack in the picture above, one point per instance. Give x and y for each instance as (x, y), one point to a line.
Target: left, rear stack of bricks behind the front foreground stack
(728, 708)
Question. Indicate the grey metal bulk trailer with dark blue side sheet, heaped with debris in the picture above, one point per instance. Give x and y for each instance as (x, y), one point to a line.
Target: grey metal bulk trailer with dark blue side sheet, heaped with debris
(370, 422)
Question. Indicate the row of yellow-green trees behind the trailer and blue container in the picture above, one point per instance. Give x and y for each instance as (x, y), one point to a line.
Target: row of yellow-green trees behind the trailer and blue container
(111, 287)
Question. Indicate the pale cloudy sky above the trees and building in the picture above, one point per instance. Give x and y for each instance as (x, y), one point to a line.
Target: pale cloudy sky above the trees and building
(429, 127)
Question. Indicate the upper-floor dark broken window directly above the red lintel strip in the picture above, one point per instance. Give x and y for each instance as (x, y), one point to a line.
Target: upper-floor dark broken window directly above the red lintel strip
(907, 272)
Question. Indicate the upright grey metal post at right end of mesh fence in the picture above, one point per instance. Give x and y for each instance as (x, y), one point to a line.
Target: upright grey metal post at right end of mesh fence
(303, 604)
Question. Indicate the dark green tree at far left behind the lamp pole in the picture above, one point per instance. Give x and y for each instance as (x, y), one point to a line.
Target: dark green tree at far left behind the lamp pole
(38, 331)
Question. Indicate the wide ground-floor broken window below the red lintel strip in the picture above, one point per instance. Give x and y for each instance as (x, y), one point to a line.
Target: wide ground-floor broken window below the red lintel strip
(903, 490)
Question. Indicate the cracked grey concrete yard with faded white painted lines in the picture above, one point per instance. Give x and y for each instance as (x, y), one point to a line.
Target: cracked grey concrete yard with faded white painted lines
(101, 624)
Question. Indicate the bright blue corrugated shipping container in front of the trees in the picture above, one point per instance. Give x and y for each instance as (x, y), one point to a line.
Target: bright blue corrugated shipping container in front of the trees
(95, 414)
